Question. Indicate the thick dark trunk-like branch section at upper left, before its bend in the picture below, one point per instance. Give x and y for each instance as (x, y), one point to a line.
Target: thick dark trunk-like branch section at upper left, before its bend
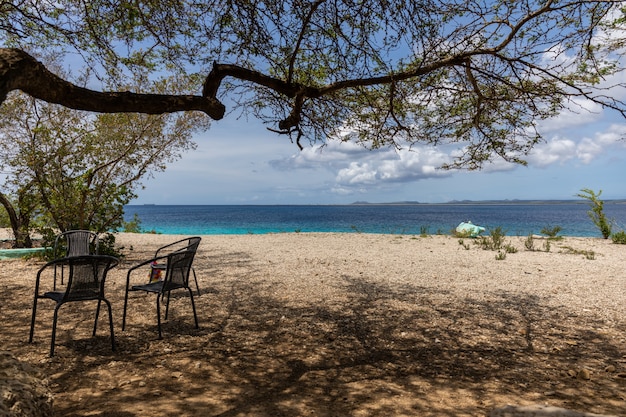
(20, 71)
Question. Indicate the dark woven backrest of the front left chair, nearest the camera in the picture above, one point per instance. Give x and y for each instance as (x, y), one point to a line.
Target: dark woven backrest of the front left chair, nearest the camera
(86, 276)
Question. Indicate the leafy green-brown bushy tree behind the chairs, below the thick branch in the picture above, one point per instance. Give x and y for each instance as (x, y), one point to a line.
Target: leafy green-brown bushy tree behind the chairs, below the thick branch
(76, 170)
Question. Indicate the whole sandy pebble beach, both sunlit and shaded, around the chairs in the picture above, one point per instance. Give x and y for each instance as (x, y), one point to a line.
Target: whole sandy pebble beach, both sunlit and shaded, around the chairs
(354, 324)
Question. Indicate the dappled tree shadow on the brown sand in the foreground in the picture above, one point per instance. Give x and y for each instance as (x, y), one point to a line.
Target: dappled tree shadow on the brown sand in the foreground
(380, 349)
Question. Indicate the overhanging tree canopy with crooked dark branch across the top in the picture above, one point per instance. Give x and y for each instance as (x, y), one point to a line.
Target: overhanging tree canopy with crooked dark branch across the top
(479, 73)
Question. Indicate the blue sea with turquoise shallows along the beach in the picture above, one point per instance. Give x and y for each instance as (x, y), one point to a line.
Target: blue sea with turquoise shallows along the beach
(411, 219)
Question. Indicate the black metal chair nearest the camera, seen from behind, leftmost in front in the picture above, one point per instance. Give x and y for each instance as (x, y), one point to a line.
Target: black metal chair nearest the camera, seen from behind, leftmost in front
(86, 278)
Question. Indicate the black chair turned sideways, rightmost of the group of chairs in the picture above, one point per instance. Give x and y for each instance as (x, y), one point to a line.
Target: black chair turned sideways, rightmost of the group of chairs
(178, 266)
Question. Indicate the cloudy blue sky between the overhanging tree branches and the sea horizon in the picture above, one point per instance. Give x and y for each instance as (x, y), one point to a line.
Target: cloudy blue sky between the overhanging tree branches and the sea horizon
(240, 162)
